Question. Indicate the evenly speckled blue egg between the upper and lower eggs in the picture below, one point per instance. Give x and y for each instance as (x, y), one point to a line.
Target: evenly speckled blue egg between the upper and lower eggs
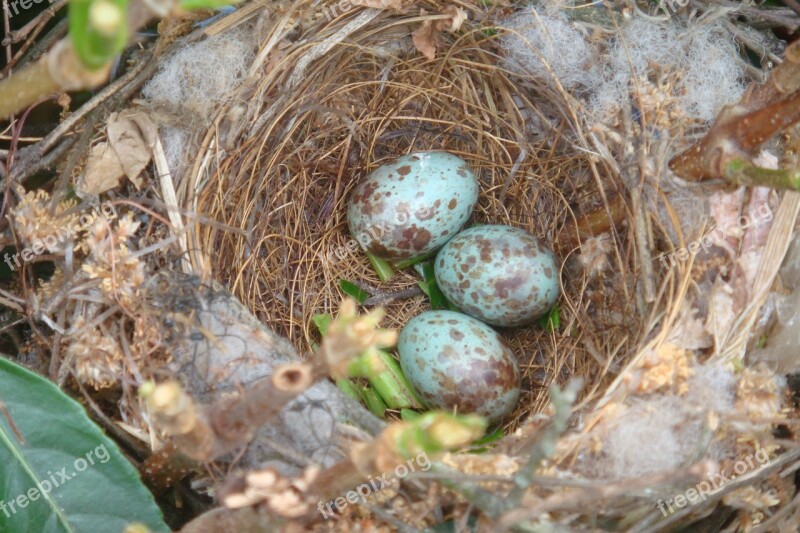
(502, 275)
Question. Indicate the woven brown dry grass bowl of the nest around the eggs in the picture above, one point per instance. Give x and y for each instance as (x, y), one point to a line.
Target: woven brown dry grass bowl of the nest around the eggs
(315, 128)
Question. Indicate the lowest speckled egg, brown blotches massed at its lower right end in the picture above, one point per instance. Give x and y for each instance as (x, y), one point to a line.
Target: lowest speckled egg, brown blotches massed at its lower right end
(455, 361)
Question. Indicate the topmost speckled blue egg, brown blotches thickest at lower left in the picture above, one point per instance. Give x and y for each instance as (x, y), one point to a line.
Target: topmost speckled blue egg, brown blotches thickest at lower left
(412, 206)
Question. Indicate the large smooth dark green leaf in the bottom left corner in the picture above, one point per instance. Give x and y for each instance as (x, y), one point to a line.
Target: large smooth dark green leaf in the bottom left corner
(64, 474)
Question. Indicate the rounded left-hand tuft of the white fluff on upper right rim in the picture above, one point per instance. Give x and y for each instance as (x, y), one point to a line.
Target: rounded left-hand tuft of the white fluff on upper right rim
(538, 42)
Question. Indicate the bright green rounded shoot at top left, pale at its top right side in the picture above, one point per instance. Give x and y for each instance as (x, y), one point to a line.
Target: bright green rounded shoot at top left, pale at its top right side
(98, 29)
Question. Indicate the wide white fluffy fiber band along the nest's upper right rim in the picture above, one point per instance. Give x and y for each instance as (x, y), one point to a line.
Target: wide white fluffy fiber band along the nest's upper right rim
(542, 42)
